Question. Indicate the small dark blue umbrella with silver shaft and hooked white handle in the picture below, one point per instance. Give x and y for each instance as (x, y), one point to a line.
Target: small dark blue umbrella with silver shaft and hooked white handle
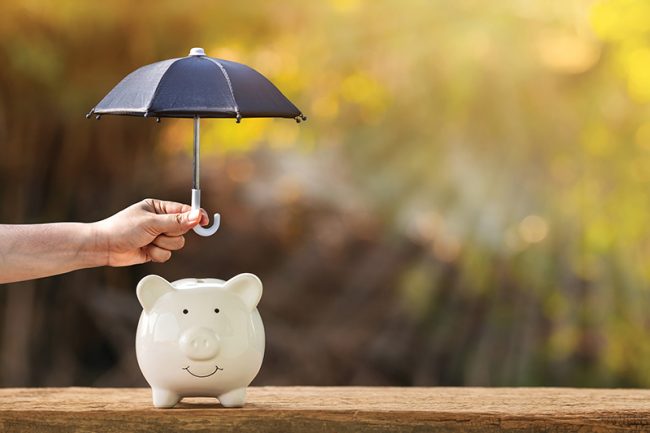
(197, 86)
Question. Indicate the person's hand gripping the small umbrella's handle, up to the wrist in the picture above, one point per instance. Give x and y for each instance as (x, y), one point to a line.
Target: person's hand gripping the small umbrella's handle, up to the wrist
(146, 231)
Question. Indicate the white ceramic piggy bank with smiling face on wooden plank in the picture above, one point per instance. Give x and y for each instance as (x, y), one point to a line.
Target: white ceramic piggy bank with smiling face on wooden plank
(199, 338)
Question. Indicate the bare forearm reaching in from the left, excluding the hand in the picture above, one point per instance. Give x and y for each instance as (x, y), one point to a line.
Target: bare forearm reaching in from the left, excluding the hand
(40, 250)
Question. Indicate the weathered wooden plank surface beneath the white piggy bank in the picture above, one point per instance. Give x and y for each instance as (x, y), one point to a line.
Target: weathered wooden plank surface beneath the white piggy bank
(320, 409)
